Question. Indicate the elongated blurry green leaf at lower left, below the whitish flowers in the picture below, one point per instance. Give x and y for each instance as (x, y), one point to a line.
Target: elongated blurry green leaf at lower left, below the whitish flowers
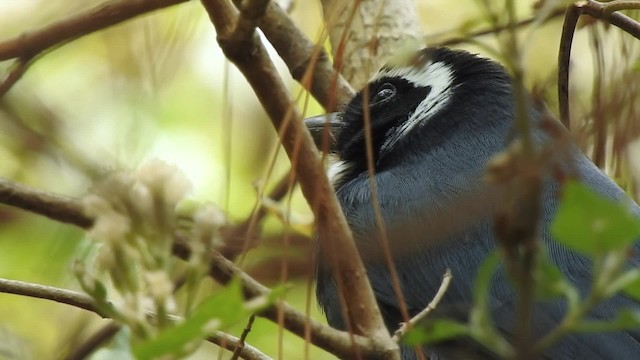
(221, 309)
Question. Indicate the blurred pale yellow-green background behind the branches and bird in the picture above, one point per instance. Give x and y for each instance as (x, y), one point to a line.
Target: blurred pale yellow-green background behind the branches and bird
(158, 87)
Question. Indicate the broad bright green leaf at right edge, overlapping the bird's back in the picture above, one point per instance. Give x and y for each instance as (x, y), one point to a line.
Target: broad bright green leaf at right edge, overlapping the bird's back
(592, 224)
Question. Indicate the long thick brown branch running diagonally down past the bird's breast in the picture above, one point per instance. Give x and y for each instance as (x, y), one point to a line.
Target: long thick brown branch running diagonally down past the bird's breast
(252, 60)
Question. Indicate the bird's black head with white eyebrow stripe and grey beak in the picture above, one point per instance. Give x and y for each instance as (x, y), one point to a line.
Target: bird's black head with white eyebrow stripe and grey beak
(416, 103)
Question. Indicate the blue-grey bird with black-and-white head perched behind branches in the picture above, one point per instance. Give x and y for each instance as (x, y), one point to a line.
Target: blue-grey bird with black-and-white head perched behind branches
(436, 120)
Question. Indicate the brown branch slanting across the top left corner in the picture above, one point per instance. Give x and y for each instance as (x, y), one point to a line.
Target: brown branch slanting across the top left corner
(29, 44)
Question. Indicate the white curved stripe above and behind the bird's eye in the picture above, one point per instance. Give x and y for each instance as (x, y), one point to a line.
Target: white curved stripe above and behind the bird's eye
(436, 75)
